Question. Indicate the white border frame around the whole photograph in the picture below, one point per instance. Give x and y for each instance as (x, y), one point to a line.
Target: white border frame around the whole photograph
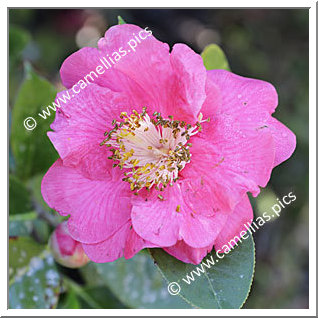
(312, 163)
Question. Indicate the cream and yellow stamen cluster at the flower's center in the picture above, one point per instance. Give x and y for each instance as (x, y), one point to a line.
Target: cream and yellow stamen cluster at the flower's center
(152, 149)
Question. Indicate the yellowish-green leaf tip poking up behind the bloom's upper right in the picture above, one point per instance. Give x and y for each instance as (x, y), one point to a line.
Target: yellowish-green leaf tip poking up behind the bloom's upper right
(214, 58)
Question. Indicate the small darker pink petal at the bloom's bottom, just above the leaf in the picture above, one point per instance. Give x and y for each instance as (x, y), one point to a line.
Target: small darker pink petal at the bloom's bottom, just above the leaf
(188, 254)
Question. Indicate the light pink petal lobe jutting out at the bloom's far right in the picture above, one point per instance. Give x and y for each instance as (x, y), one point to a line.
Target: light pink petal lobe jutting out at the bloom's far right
(285, 140)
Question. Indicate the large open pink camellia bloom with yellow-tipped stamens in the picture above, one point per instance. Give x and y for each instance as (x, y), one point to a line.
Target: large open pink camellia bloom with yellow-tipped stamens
(159, 152)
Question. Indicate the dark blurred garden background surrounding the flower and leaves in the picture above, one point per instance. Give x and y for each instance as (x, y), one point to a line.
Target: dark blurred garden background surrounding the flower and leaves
(271, 45)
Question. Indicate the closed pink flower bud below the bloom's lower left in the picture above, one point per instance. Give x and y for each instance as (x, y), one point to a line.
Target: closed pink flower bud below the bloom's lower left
(65, 249)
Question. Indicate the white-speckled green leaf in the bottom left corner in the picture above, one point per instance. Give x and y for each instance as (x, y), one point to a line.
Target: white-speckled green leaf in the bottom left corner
(34, 281)
